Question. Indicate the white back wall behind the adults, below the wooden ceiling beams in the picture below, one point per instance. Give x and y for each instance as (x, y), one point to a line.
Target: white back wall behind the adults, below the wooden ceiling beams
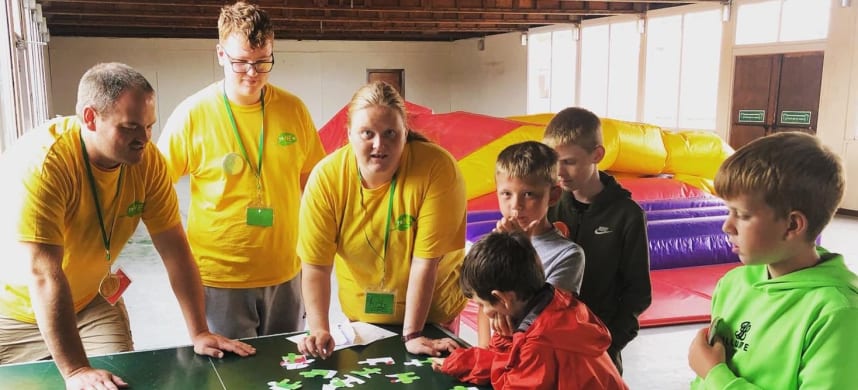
(441, 75)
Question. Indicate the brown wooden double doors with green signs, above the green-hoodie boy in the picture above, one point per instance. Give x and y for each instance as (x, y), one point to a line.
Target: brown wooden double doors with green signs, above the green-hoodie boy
(772, 93)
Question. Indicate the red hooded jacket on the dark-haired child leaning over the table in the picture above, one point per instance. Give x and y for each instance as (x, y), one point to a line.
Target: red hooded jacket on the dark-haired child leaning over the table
(563, 348)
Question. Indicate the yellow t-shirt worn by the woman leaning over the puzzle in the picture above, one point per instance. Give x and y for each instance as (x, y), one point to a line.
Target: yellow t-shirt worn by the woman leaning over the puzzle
(344, 223)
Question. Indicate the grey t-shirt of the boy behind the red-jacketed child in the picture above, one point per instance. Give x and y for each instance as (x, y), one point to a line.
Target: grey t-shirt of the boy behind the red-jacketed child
(562, 260)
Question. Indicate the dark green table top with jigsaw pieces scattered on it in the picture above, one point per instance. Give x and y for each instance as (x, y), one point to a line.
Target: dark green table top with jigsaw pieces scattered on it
(181, 368)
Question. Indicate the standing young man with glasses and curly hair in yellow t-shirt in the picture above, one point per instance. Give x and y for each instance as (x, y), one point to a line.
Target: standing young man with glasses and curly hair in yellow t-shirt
(248, 147)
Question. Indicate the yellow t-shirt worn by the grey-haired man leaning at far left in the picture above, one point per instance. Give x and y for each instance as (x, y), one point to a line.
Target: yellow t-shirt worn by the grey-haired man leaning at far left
(48, 200)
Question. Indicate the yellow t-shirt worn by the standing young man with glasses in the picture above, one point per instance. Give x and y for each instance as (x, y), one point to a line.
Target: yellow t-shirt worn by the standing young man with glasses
(196, 140)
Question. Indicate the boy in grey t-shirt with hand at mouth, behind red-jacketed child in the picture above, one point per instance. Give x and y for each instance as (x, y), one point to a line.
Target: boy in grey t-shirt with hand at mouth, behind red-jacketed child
(526, 175)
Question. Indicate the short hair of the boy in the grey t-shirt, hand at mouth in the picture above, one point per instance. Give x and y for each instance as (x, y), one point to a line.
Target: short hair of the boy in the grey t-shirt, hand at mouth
(528, 160)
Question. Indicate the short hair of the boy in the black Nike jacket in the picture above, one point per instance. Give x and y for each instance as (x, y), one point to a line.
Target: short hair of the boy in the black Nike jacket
(574, 126)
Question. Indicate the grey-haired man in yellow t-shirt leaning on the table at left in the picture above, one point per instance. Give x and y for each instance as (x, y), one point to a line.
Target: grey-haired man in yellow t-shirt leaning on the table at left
(76, 189)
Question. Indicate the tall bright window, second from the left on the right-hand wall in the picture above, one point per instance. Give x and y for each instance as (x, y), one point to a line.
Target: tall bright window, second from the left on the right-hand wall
(609, 69)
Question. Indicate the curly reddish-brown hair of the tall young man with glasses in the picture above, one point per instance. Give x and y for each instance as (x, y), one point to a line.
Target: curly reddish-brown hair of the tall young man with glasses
(248, 20)
